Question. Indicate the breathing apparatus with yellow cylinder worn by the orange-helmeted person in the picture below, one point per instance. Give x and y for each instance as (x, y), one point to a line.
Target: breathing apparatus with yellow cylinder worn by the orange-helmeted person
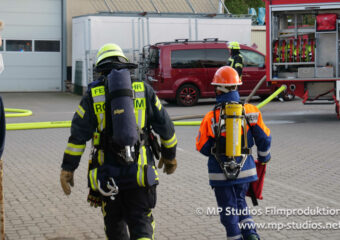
(232, 117)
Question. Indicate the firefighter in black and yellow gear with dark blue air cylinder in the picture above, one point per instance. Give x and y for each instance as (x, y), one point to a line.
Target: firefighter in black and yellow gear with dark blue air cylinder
(120, 116)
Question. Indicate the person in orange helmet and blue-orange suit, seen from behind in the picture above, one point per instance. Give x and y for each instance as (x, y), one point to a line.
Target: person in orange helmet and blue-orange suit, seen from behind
(230, 193)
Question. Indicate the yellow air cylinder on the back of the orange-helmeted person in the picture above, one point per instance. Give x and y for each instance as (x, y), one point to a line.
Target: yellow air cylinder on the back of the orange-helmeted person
(233, 129)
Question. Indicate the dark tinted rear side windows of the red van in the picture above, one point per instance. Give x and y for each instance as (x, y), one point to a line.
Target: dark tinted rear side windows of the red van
(199, 58)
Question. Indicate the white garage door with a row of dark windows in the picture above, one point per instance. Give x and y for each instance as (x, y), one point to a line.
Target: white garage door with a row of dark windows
(31, 45)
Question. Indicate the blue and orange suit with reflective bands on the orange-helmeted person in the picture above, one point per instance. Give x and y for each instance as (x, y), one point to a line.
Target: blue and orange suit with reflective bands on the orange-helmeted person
(230, 194)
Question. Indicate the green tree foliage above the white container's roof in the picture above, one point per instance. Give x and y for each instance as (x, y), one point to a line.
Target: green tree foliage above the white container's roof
(241, 6)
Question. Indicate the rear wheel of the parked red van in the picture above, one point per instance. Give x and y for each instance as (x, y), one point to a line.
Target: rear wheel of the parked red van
(187, 95)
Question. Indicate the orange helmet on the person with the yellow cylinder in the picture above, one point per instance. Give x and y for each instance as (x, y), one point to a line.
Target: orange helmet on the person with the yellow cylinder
(226, 76)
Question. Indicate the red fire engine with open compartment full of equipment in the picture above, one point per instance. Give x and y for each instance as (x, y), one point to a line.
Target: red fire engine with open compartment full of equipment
(303, 48)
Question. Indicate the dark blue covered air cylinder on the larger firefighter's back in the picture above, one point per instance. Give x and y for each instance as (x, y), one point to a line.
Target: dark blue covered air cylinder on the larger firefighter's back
(124, 125)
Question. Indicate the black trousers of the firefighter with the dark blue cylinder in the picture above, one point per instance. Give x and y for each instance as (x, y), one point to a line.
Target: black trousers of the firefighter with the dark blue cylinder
(131, 208)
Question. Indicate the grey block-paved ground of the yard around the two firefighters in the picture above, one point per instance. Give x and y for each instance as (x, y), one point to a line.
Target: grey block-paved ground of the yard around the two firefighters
(303, 174)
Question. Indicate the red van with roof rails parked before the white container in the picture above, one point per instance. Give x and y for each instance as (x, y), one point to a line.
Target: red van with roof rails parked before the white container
(181, 71)
